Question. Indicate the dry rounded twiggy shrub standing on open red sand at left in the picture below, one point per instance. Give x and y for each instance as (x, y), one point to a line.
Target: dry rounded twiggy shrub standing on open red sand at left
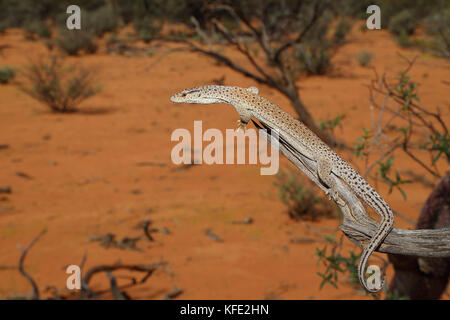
(62, 88)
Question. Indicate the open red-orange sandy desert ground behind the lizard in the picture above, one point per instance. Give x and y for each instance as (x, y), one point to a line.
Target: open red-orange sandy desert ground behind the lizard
(85, 176)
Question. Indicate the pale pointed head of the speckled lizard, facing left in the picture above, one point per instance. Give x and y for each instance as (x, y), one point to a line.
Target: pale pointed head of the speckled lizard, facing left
(202, 95)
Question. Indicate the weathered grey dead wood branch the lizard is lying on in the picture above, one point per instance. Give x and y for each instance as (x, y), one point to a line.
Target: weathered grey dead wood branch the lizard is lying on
(357, 225)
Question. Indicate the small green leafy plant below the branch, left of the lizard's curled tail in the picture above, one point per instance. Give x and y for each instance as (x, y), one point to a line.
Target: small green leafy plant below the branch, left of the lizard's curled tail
(335, 263)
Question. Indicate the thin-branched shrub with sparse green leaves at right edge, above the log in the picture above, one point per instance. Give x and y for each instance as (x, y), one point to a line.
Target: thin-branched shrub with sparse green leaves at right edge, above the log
(419, 133)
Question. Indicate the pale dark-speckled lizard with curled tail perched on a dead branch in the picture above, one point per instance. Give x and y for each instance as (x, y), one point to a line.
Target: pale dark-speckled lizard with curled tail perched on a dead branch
(248, 103)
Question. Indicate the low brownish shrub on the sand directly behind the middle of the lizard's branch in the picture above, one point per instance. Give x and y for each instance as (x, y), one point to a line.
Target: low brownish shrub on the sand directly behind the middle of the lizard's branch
(302, 202)
